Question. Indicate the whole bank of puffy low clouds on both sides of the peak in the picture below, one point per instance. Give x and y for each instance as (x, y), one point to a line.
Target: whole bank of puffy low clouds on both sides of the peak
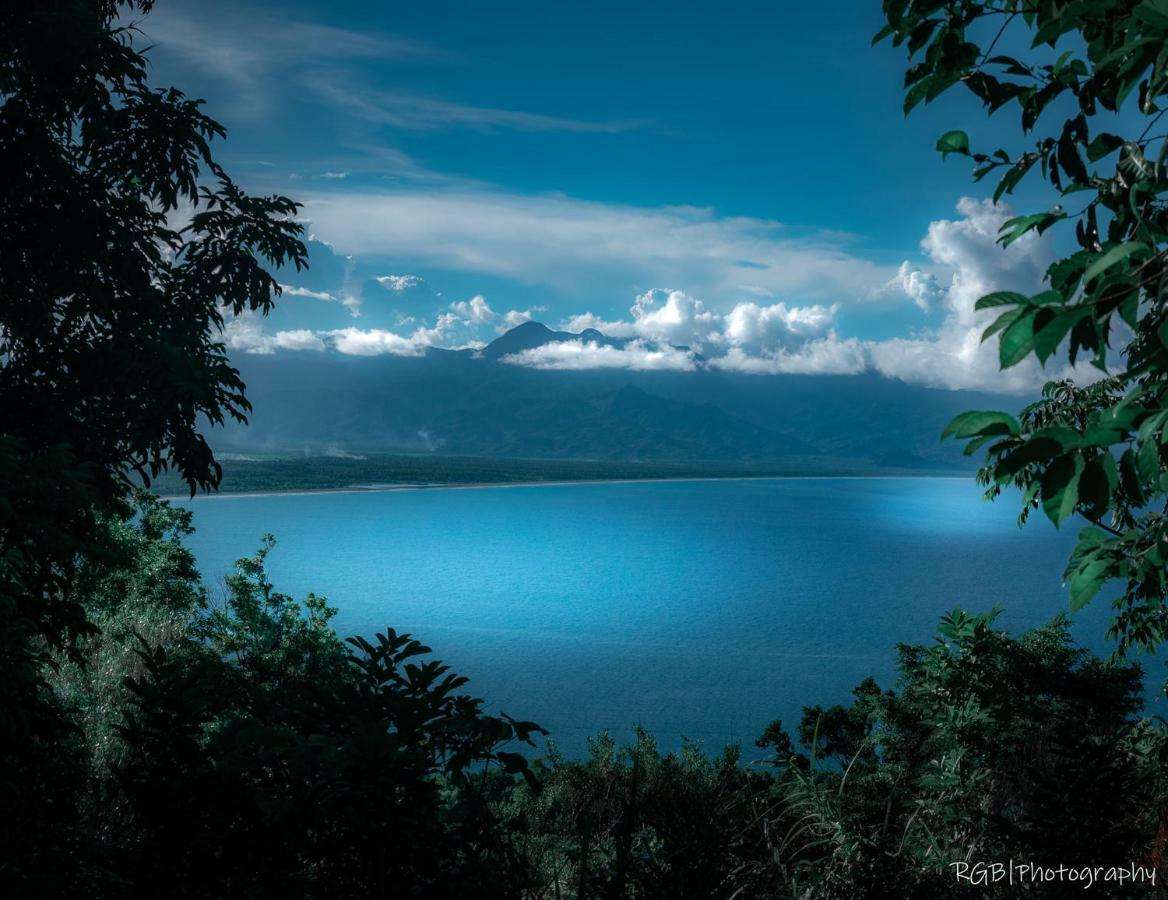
(672, 330)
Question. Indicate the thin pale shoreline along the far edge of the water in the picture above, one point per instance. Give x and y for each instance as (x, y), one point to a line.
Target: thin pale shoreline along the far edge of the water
(560, 484)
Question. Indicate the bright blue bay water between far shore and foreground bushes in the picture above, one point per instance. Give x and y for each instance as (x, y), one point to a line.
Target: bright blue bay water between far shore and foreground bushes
(698, 609)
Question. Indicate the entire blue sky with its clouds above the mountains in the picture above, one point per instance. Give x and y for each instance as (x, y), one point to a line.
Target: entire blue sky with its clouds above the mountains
(739, 179)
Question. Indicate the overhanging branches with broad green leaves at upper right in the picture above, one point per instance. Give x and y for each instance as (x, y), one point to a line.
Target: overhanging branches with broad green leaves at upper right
(1099, 452)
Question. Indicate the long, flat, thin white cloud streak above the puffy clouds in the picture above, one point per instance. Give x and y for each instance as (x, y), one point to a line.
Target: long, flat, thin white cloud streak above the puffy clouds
(573, 245)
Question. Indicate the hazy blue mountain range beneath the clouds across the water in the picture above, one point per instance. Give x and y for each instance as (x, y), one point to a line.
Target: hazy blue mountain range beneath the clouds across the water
(481, 403)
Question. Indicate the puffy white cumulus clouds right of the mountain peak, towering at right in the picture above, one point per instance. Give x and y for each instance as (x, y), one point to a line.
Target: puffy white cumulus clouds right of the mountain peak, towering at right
(780, 338)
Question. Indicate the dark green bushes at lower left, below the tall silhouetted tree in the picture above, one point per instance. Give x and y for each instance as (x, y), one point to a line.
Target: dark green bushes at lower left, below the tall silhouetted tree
(240, 748)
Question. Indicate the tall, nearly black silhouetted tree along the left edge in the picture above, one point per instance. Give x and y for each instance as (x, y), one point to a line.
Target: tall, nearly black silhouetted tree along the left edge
(123, 246)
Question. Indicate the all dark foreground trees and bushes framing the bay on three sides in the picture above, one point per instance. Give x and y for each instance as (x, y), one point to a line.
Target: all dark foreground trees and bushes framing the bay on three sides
(159, 742)
